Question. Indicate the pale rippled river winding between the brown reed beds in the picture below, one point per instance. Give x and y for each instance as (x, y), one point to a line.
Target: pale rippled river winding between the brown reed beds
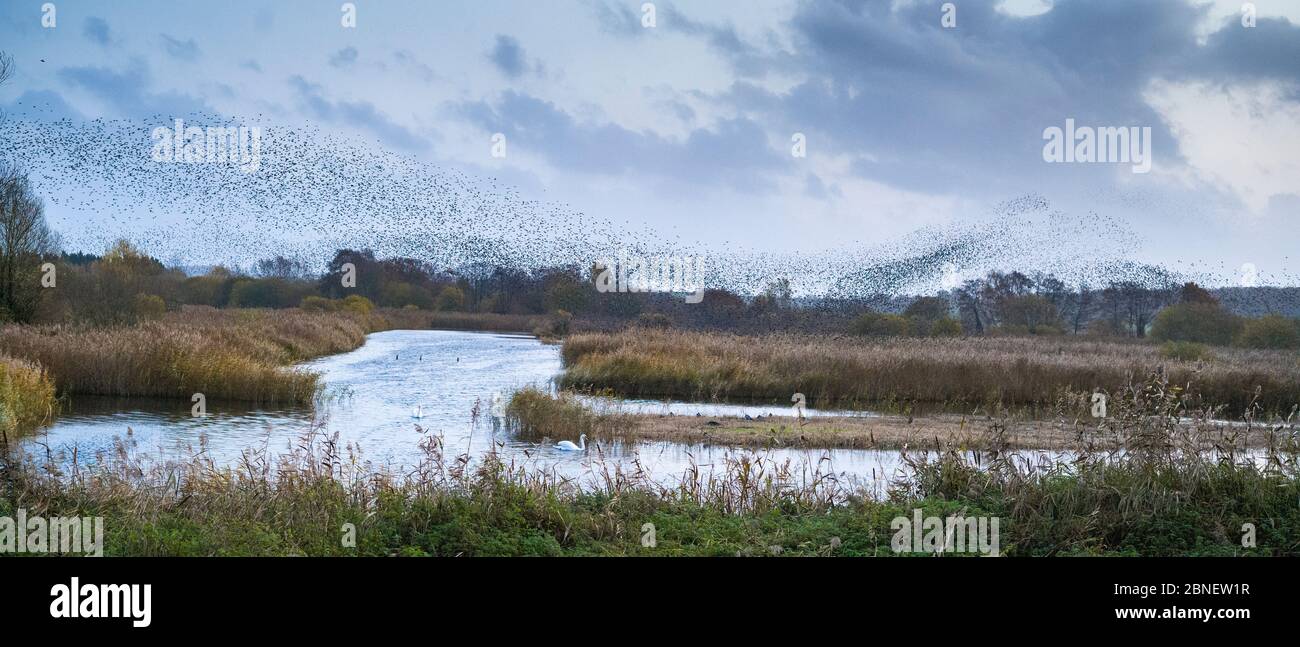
(372, 394)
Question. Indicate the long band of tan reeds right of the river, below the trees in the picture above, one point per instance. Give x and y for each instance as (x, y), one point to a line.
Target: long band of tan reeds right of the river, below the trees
(847, 372)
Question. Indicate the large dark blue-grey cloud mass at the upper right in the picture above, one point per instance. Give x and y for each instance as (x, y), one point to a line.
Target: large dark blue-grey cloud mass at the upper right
(950, 111)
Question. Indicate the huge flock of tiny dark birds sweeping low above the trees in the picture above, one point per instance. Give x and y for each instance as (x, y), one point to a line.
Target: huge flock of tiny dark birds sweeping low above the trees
(317, 193)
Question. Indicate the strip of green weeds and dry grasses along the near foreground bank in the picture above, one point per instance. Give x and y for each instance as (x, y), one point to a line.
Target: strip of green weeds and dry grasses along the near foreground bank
(1178, 485)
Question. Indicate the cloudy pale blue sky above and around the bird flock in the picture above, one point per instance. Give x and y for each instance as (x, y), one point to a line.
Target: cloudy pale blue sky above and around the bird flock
(687, 127)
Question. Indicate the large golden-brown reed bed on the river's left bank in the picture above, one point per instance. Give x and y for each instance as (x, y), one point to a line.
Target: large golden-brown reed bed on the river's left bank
(235, 355)
